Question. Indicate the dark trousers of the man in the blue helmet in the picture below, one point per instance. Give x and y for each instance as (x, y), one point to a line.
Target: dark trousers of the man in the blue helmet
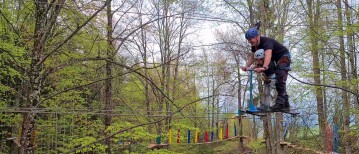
(281, 72)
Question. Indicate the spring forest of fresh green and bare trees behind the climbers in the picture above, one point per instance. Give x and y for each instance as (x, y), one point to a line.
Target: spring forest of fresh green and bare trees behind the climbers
(85, 75)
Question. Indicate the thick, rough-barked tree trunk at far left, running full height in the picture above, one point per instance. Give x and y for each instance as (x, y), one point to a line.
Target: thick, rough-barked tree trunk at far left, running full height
(29, 120)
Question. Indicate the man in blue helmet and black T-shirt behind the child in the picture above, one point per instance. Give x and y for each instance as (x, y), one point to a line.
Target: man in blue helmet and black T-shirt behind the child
(276, 53)
